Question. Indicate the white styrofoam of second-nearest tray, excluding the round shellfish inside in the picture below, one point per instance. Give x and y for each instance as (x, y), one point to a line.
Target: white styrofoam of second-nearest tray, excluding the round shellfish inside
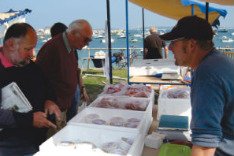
(107, 114)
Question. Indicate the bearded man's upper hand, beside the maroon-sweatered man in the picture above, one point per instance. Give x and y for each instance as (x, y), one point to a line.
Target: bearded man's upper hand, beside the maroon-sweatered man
(52, 108)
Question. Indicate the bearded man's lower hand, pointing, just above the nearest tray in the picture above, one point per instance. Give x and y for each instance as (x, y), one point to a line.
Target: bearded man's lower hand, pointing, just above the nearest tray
(40, 120)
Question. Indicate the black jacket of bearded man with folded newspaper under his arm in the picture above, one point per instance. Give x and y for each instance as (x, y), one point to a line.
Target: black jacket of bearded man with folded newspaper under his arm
(18, 136)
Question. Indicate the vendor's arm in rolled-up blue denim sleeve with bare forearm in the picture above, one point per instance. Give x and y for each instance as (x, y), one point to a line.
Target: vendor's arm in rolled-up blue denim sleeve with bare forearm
(207, 111)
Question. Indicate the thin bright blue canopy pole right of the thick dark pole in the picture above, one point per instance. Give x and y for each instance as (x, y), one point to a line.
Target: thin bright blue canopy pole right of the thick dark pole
(127, 39)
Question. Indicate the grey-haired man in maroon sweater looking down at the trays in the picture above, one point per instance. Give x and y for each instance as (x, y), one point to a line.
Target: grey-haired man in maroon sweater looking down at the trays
(58, 61)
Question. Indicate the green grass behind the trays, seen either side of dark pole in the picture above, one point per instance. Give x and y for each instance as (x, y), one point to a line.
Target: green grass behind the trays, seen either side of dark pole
(94, 80)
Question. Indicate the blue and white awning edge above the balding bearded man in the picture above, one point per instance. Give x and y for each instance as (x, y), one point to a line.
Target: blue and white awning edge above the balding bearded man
(15, 15)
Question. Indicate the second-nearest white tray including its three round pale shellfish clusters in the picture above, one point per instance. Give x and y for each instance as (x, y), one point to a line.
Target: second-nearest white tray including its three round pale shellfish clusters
(120, 120)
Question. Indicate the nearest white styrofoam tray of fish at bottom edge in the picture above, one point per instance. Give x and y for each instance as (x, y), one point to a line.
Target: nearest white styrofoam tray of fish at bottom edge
(77, 140)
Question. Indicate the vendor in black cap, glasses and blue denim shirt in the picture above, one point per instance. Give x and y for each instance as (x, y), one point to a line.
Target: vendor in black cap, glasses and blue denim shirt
(212, 87)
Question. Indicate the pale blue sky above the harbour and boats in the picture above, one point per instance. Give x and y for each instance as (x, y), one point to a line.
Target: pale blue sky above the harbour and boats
(46, 12)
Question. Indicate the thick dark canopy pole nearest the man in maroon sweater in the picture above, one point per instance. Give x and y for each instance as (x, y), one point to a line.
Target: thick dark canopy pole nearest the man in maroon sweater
(109, 40)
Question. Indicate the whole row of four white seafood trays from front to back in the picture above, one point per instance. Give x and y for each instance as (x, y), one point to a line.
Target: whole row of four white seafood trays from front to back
(115, 123)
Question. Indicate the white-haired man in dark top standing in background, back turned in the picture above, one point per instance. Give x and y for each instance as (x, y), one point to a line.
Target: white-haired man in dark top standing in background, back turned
(153, 46)
